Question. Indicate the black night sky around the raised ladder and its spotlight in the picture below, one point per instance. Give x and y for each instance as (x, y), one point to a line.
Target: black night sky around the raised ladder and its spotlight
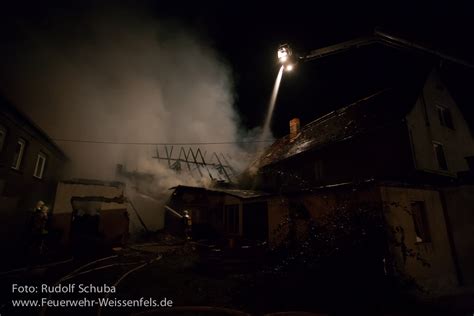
(247, 34)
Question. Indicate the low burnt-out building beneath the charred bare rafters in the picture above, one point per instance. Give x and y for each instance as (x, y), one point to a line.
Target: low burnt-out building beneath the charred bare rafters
(225, 213)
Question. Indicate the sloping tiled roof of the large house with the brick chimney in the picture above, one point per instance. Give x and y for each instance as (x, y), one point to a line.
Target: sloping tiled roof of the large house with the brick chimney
(377, 110)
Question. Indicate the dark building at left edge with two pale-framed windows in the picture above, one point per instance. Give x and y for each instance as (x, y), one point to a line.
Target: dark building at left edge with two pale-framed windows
(30, 166)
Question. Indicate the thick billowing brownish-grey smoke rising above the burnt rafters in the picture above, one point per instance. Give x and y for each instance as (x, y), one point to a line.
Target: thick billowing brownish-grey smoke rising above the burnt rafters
(124, 77)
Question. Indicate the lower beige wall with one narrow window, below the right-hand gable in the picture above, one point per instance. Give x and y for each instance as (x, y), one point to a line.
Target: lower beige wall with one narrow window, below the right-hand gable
(440, 276)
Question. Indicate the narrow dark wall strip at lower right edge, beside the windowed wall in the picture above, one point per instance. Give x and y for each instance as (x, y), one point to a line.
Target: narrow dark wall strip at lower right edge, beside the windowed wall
(460, 213)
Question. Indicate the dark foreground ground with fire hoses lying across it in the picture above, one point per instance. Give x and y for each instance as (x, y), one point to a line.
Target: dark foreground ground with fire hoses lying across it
(178, 272)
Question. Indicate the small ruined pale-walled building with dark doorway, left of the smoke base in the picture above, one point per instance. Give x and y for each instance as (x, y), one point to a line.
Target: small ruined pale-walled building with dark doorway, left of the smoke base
(91, 210)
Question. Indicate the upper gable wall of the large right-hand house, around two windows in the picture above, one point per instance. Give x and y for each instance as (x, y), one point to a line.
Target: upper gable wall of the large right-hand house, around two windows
(425, 127)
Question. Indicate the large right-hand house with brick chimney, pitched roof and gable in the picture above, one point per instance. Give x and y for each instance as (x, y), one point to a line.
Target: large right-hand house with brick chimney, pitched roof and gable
(410, 147)
